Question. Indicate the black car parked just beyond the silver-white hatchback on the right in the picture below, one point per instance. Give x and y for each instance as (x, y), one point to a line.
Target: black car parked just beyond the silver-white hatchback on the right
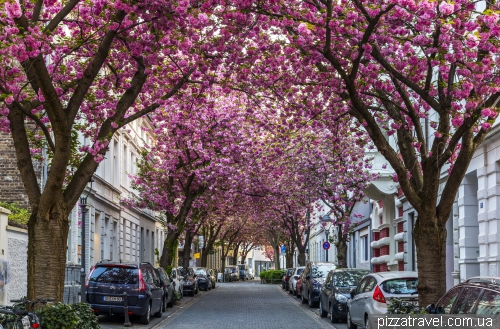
(335, 291)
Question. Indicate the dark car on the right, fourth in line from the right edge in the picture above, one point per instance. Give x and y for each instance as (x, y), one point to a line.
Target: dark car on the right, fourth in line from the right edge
(312, 278)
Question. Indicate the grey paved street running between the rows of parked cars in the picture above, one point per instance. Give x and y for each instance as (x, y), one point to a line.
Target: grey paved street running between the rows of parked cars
(242, 305)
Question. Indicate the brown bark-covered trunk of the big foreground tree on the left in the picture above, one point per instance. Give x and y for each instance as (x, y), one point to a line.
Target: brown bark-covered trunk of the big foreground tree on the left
(48, 237)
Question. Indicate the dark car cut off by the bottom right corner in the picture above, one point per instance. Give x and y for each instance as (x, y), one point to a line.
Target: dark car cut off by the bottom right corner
(477, 295)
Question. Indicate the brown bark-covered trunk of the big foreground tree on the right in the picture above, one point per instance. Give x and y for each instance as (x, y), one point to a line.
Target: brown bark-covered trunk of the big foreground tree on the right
(430, 240)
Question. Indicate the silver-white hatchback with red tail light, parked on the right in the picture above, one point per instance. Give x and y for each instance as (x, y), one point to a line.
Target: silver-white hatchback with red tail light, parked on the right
(373, 292)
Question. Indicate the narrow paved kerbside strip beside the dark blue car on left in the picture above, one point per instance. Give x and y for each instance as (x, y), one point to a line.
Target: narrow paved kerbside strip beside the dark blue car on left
(115, 322)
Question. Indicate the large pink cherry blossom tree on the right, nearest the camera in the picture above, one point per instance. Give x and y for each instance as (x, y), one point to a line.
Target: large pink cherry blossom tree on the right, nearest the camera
(424, 72)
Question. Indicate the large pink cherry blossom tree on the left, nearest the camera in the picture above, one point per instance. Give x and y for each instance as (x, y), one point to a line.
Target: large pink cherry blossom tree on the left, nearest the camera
(90, 68)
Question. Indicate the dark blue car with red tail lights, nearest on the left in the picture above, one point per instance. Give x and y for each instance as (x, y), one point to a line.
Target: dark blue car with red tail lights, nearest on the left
(108, 281)
